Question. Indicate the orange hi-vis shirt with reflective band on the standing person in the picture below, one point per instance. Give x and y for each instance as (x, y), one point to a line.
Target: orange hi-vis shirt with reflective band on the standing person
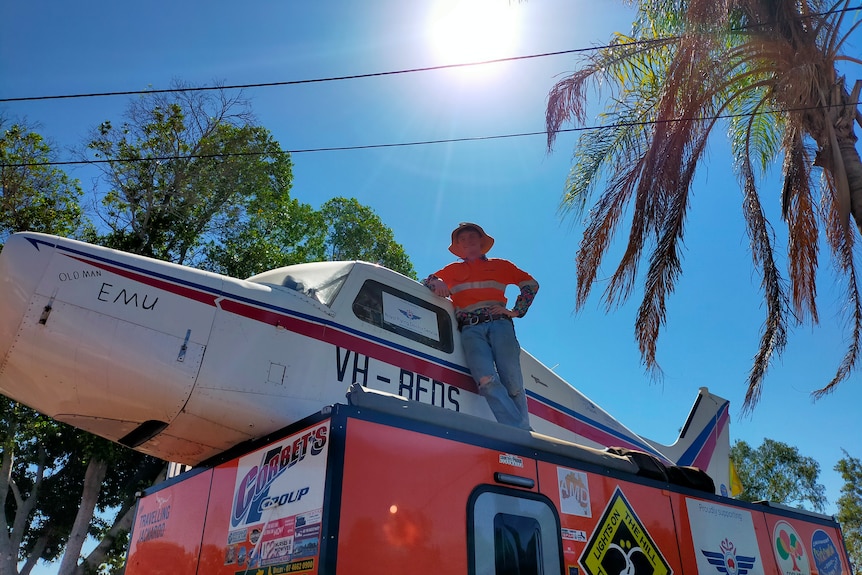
(481, 283)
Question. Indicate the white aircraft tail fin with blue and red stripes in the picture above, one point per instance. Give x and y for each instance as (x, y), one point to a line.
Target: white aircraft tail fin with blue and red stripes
(704, 441)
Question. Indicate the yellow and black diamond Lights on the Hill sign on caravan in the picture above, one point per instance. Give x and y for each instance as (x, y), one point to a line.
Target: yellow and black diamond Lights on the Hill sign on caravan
(622, 545)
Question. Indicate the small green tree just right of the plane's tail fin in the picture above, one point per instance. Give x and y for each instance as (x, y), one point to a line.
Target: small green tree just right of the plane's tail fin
(777, 472)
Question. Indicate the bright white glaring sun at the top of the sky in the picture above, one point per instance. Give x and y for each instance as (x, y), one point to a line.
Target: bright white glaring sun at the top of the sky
(464, 31)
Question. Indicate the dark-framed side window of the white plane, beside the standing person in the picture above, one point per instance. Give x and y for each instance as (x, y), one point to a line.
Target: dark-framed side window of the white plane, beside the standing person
(404, 314)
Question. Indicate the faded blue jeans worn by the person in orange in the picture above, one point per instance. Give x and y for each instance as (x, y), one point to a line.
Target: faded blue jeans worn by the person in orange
(492, 351)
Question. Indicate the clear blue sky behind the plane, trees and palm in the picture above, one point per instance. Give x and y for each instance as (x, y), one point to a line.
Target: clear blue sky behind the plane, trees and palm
(511, 186)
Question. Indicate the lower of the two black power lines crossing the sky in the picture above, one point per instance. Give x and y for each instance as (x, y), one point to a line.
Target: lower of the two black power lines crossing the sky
(421, 142)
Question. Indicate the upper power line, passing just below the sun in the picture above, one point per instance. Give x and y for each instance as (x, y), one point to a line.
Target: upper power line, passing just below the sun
(381, 74)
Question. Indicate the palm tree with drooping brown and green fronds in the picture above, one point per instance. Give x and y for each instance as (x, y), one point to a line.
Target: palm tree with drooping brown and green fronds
(769, 68)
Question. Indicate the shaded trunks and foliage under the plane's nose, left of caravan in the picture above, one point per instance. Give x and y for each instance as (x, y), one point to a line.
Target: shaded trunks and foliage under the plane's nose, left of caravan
(53, 480)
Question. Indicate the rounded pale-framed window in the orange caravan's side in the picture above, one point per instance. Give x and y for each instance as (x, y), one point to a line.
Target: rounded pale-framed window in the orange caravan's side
(512, 533)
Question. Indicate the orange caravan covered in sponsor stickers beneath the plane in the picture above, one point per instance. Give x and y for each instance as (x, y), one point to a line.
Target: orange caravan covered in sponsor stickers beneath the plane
(380, 485)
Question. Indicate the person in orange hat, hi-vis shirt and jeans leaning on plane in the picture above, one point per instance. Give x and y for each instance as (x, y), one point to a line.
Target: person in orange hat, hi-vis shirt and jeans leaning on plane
(477, 286)
